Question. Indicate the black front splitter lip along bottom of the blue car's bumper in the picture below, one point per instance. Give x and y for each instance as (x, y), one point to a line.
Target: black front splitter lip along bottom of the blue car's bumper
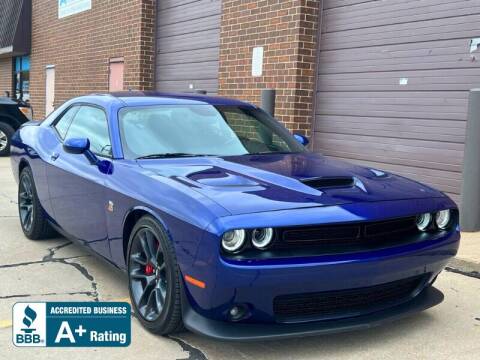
(221, 330)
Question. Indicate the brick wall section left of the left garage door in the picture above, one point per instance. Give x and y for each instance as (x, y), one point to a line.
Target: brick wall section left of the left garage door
(80, 46)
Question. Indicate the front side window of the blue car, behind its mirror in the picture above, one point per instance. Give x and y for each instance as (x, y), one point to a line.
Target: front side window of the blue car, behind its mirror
(91, 123)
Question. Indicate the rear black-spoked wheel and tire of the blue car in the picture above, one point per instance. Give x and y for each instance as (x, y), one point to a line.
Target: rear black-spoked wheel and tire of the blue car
(32, 216)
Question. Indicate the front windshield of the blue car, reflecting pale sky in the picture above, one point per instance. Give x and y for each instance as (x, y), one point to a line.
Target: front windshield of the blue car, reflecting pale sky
(196, 130)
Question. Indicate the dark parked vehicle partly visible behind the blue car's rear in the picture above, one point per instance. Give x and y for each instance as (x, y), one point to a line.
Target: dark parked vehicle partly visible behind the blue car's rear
(13, 113)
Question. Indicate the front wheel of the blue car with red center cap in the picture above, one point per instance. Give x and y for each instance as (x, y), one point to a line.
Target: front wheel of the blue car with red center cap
(154, 278)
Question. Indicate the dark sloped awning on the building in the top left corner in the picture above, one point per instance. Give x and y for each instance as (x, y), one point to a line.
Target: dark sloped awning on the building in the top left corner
(15, 27)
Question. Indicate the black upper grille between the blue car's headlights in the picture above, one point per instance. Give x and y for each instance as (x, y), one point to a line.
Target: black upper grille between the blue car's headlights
(342, 238)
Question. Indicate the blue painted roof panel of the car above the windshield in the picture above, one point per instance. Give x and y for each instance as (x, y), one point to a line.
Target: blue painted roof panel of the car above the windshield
(139, 98)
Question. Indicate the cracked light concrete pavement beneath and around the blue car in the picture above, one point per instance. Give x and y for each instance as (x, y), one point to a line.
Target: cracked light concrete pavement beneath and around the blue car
(59, 270)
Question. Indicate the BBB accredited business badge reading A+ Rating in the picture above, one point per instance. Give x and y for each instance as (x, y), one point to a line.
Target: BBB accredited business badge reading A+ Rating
(72, 324)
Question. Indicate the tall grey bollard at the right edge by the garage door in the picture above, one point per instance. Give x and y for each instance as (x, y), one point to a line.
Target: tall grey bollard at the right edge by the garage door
(470, 208)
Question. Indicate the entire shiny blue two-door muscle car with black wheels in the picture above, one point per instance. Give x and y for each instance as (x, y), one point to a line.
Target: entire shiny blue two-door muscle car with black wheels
(223, 220)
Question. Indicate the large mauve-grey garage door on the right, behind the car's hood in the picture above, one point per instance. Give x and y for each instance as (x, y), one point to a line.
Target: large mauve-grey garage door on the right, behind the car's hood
(393, 85)
